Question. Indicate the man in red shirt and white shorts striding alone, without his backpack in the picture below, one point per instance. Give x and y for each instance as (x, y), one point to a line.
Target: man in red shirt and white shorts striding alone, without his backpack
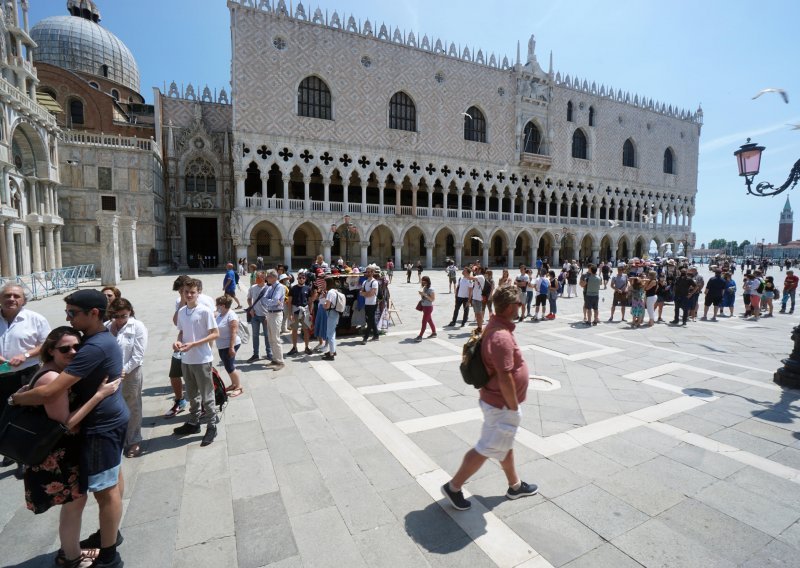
(500, 402)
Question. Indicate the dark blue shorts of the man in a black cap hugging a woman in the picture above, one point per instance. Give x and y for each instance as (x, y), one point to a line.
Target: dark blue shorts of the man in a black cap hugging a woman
(101, 456)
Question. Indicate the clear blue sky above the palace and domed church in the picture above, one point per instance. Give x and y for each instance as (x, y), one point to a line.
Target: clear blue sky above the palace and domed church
(684, 52)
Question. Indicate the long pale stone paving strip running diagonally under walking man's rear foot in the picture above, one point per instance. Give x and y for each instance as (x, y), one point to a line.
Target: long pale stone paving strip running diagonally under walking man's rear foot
(496, 539)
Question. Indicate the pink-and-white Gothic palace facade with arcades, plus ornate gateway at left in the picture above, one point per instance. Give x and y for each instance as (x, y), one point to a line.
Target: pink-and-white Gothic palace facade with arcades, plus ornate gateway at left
(432, 151)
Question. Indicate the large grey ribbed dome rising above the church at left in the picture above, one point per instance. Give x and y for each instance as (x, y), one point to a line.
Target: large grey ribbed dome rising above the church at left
(80, 44)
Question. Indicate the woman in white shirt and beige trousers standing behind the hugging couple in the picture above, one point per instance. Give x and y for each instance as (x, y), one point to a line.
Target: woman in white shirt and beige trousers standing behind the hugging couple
(131, 336)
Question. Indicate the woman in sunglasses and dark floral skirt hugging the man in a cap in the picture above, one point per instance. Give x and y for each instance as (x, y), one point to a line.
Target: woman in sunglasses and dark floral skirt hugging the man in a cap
(55, 480)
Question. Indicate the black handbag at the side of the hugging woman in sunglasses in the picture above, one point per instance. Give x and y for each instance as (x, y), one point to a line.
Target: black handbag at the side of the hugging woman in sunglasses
(27, 434)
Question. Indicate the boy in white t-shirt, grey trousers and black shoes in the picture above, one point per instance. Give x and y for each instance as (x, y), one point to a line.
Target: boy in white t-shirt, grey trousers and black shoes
(197, 328)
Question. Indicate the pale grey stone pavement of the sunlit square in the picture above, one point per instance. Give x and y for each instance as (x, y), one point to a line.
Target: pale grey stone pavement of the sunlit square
(654, 447)
